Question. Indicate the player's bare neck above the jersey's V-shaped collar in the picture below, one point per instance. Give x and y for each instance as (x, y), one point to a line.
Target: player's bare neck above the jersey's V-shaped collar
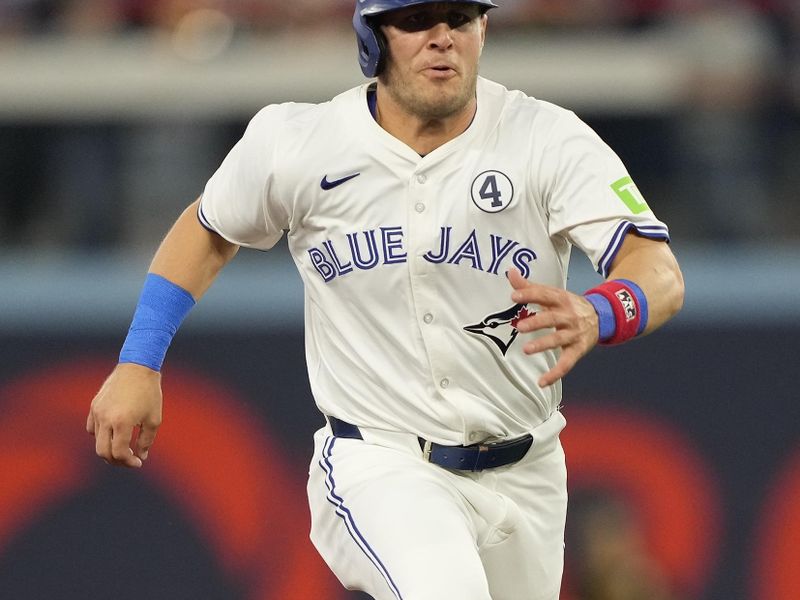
(420, 134)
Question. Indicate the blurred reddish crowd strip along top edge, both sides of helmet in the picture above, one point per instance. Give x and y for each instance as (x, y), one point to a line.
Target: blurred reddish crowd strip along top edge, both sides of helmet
(79, 16)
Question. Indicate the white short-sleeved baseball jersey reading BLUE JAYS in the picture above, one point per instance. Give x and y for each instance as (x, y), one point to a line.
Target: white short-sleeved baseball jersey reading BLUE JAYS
(409, 321)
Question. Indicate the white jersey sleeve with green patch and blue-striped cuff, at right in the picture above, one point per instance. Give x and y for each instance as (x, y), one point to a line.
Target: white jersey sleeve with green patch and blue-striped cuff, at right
(591, 199)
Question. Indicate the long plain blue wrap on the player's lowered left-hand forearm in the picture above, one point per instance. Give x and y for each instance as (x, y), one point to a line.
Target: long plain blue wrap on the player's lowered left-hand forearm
(161, 309)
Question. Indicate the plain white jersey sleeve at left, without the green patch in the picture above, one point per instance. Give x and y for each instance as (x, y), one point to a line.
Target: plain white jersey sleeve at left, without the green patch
(237, 201)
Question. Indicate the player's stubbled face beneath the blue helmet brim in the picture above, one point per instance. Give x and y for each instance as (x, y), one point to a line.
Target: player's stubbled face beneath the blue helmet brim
(432, 65)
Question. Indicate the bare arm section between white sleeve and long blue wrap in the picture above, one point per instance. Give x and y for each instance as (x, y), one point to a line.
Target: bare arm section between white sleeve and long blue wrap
(191, 256)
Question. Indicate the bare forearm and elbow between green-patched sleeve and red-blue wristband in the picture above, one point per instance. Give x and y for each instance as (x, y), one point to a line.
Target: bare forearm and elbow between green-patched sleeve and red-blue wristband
(652, 266)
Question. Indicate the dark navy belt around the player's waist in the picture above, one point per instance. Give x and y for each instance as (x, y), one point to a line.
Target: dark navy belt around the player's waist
(476, 457)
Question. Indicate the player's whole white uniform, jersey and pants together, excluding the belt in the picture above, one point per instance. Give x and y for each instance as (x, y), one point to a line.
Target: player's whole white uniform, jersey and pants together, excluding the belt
(410, 329)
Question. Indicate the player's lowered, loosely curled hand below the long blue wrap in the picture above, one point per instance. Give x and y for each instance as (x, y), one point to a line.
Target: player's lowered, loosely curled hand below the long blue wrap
(128, 403)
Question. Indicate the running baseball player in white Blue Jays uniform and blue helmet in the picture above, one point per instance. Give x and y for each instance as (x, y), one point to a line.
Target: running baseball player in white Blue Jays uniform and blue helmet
(431, 214)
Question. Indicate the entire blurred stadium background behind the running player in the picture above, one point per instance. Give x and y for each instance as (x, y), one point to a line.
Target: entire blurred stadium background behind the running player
(683, 449)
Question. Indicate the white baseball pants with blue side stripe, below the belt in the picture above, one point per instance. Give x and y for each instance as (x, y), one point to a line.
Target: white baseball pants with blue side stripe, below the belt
(402, 529)
